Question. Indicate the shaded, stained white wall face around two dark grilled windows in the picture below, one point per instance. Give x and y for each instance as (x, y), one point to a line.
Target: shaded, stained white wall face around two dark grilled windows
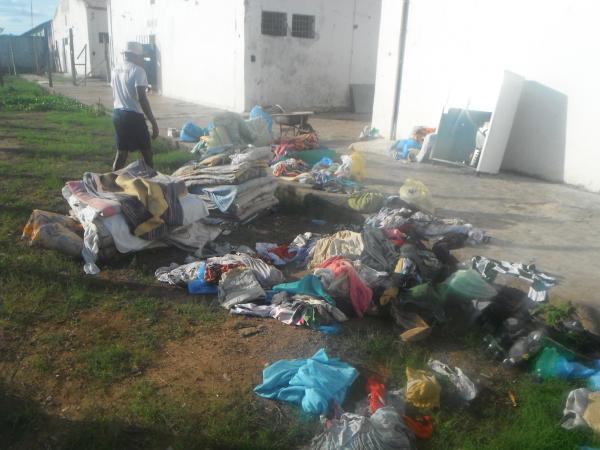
(311, 73)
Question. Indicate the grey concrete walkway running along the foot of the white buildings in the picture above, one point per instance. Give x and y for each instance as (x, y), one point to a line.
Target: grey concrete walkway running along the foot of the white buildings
(556, 226)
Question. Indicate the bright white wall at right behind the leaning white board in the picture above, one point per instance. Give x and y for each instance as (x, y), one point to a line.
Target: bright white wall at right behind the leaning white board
(456, 54)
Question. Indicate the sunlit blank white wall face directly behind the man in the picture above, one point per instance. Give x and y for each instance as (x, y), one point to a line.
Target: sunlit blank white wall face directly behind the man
(199, 46)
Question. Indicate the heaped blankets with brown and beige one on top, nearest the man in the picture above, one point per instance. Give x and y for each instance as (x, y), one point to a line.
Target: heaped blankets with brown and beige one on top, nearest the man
(129, 210)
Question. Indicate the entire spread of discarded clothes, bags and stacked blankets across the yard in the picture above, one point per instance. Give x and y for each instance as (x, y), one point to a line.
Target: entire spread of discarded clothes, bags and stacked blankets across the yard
(398, 263)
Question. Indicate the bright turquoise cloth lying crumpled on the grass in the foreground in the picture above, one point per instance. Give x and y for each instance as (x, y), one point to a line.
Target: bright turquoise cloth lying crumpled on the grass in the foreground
(310, 383)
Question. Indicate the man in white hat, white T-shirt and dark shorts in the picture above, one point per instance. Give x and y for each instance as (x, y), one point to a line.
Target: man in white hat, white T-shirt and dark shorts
(129, 83)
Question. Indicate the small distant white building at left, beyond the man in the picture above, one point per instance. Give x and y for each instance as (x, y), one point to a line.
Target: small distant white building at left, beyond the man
(88, 21)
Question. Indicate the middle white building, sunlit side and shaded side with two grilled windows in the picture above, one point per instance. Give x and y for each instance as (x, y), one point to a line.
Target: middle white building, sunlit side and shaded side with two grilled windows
(234, 54)
